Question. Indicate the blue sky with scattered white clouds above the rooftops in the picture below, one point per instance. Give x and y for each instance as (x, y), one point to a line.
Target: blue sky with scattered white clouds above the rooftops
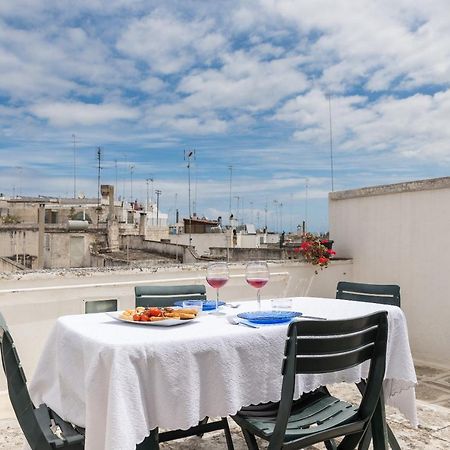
(282, 101)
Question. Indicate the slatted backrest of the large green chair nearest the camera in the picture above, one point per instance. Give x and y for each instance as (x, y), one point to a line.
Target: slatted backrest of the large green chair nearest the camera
(333, 345)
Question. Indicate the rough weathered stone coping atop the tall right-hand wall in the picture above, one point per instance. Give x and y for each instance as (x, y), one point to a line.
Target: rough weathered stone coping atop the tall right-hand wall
(397, 188)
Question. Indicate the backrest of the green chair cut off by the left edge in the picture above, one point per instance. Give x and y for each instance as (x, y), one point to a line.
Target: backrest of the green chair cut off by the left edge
(18, 391)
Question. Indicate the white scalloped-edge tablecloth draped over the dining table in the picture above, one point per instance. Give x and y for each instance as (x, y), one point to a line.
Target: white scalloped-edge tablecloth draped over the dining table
(120, 380)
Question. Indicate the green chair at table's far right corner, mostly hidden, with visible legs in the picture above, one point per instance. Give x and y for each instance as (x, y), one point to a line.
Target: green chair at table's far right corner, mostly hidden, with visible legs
(385, 294)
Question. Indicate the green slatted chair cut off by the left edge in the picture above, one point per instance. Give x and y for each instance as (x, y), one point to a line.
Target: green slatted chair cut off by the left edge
(42, 427)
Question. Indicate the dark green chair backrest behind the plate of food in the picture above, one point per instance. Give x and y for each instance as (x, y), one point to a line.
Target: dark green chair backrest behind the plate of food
(167, 295)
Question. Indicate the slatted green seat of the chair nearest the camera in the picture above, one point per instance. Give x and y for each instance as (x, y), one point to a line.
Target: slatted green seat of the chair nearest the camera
(313, 414)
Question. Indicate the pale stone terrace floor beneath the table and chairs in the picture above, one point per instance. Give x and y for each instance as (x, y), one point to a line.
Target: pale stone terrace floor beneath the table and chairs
(433, 433)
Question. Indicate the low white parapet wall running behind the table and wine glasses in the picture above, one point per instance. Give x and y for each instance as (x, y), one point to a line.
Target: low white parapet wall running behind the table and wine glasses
(32, 302)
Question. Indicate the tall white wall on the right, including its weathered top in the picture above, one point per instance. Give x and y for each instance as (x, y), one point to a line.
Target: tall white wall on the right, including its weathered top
(400, 234)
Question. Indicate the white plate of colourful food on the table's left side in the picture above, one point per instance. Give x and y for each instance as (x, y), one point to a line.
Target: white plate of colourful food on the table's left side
(163, 317)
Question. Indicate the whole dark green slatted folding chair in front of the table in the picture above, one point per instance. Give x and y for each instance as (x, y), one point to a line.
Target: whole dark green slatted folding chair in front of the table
(319, 347)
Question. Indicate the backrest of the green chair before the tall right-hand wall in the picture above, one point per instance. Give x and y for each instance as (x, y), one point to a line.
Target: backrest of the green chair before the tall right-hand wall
(387, 294)
